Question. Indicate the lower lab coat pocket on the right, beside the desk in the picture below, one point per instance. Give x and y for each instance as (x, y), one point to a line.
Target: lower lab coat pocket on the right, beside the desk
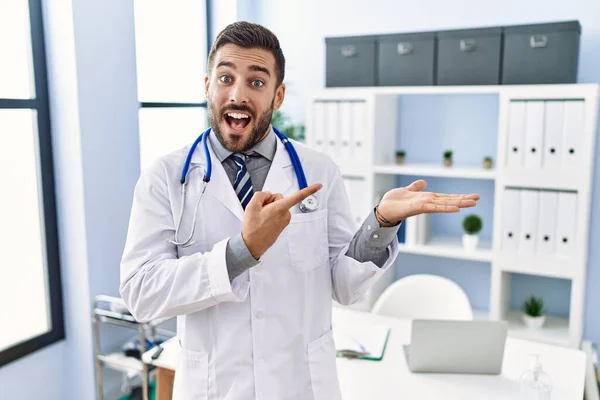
(323, 370)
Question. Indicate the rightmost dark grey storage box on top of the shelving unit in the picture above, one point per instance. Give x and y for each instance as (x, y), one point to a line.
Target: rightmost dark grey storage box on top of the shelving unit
(541, 53)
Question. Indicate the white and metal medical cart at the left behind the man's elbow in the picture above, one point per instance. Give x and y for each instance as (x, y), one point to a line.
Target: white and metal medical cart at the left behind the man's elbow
(112, 310)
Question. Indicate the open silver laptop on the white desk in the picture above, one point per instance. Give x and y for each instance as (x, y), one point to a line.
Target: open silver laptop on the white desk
(456, 346)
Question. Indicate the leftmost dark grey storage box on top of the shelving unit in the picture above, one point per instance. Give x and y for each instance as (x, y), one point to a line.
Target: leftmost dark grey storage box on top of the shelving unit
(350, 61)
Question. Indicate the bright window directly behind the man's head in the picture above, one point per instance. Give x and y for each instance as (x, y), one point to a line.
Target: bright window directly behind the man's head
(172, 44)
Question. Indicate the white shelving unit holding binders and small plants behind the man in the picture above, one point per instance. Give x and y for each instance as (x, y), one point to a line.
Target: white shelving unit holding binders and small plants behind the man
(553, 128)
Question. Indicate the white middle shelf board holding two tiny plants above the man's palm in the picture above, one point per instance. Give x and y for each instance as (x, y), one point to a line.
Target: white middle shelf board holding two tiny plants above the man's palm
(436, 170)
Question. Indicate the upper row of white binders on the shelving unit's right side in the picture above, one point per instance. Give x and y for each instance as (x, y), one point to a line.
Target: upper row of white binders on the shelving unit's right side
(544, 134)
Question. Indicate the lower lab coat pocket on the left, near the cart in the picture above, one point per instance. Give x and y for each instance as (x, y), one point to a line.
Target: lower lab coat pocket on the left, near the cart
(191, 376)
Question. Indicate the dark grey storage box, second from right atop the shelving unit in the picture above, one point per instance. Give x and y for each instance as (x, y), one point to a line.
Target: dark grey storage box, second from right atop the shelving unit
(469, 57)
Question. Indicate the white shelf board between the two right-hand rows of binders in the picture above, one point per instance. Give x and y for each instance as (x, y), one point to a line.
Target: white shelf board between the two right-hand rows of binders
(541, 179)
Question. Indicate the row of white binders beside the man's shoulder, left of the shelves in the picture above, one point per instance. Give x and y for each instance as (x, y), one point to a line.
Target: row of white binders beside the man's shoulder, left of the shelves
(339, 129)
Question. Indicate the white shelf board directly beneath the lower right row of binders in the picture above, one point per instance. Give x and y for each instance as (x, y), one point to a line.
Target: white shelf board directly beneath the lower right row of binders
(553, 266)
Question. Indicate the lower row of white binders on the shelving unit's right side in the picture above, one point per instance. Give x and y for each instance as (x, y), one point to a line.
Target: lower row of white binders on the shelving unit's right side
(539, 221)
